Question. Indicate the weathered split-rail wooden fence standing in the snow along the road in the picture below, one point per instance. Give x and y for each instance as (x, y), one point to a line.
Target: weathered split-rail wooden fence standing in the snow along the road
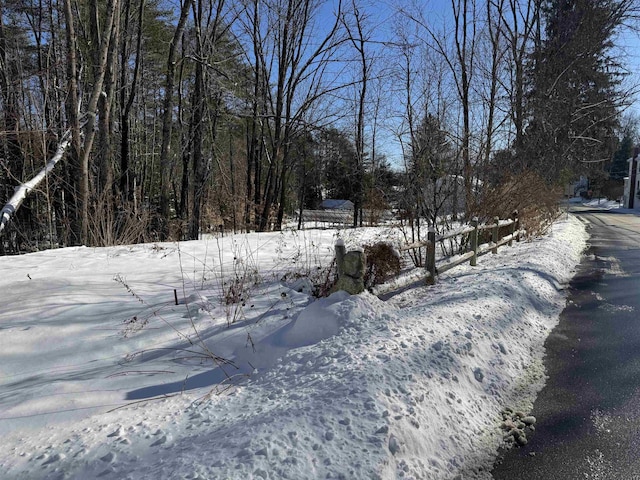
(476, 249)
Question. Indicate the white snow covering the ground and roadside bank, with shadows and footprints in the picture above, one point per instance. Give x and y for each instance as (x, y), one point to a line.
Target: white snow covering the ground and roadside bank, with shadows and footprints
(337, 388)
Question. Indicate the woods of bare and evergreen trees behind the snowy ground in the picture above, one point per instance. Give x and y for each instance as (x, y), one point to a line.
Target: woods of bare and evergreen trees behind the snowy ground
(180, 118)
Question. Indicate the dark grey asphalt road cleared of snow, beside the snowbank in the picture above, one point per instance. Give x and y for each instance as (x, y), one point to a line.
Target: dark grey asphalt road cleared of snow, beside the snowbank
(588, 414)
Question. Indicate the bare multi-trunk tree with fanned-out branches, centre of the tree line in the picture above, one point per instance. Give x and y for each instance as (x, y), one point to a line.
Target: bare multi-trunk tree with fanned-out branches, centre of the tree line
(281, 33)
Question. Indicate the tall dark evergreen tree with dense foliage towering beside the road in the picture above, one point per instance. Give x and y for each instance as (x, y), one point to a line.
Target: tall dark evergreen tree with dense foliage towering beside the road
(574, 98)
